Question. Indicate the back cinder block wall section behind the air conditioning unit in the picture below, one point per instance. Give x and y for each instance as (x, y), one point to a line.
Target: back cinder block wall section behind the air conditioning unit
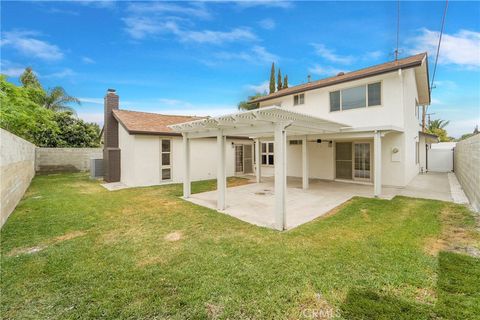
(49, 160)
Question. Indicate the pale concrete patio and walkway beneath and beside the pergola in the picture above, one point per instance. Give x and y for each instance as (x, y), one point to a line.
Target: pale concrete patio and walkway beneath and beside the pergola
(254, 203)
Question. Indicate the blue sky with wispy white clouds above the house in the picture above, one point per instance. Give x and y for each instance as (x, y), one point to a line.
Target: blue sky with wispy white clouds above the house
(203, 57)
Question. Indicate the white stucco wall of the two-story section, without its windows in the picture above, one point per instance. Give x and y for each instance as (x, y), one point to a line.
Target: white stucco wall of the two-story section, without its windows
(399, 95)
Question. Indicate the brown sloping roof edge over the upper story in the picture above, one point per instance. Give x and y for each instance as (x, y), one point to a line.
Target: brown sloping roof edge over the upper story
(409, 62)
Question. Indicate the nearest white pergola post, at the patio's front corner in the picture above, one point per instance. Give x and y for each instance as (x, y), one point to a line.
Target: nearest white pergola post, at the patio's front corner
(280, 175)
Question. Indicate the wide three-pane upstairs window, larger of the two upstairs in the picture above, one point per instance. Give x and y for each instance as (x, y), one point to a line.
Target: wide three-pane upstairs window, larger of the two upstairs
(356, 97)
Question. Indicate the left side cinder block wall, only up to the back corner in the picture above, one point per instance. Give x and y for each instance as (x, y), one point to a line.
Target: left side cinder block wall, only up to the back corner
(17, 168)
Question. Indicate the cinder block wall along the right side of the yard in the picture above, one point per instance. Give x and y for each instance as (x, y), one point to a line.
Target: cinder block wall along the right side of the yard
(467, 168)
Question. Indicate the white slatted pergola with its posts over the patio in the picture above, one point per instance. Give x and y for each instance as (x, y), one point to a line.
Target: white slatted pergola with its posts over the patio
(257, 124)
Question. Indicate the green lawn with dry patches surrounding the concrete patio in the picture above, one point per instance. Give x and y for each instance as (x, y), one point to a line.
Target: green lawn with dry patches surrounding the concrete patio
(73, 250)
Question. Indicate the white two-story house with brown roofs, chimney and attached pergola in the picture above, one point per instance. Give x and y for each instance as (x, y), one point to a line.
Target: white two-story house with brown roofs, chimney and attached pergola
(358, 127)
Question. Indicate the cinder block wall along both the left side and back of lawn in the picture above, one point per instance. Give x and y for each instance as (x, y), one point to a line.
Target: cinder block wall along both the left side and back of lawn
(20, 159)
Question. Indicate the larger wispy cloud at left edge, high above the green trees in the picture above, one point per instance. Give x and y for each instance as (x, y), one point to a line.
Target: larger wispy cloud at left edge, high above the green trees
(25, 43)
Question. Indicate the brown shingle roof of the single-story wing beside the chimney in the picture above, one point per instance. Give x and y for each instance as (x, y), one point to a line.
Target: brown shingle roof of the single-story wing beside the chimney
(149, 123)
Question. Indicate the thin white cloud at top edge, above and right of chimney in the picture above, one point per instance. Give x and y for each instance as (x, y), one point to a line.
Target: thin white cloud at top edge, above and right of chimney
(196, 9)
